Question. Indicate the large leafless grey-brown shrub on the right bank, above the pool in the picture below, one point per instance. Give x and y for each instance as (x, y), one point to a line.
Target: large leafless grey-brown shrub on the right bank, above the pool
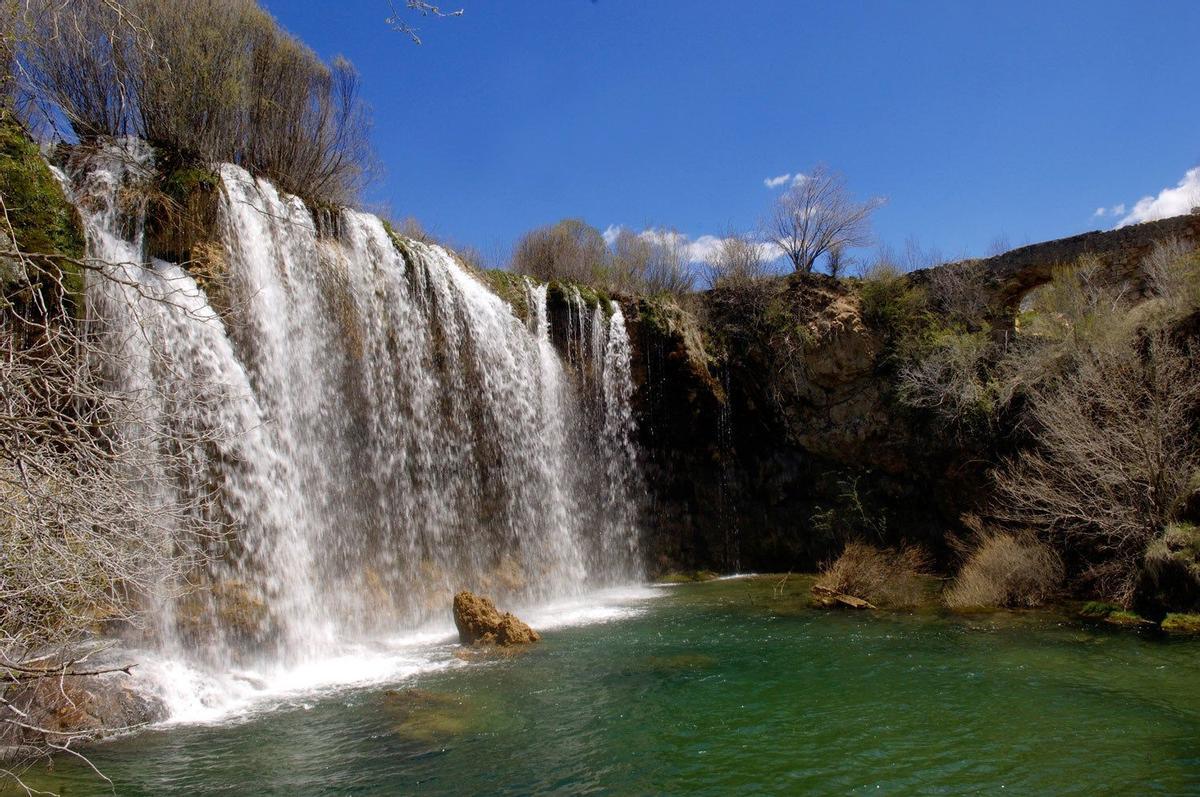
(1115, 450)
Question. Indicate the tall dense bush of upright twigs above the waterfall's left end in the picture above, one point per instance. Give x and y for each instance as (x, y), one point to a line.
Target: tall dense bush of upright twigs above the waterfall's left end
(218, 80)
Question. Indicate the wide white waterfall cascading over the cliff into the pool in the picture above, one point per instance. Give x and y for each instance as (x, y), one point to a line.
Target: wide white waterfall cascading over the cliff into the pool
(374, 426)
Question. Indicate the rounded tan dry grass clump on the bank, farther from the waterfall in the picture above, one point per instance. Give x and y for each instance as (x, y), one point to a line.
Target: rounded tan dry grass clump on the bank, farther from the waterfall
(1006, 571)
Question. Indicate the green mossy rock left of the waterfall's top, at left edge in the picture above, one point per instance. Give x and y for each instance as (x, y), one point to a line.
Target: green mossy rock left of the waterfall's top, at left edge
(47, 226)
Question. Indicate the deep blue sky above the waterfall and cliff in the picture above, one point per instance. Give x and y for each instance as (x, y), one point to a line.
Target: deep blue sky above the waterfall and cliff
(975, 119)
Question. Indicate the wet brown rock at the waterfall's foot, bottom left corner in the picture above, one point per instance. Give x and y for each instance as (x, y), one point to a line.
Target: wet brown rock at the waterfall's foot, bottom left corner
(74, 709)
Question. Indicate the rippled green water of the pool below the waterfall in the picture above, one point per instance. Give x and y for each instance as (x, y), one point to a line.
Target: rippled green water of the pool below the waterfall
(727, 688)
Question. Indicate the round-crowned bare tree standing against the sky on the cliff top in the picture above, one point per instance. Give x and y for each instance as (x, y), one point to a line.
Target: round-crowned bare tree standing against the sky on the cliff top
(818, 215)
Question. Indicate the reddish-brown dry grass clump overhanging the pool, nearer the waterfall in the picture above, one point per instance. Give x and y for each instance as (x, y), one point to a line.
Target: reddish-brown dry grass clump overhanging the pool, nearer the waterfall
(883, 577)
